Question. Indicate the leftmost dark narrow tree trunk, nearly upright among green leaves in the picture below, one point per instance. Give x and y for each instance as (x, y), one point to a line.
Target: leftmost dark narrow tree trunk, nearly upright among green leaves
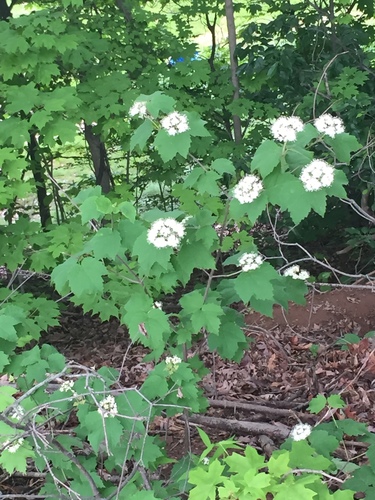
(40, 181)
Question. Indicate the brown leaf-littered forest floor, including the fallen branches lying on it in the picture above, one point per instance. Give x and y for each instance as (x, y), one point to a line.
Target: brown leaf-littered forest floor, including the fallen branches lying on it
(292, 358)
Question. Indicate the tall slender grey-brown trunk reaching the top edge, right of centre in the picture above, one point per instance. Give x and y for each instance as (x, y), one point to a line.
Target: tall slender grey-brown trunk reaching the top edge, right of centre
(229, 13)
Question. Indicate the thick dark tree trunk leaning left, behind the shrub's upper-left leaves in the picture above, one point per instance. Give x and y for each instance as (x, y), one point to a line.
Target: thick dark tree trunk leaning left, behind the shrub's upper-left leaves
(100, 160)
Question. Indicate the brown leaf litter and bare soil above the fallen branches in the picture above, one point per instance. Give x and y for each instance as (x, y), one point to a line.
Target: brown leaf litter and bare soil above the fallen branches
(292, 357)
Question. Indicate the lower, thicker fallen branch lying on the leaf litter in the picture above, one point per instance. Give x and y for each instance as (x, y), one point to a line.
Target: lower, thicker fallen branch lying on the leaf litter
(239, 426)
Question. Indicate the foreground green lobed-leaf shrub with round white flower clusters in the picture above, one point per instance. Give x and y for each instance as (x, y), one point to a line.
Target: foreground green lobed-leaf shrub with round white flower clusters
(123, 264)
